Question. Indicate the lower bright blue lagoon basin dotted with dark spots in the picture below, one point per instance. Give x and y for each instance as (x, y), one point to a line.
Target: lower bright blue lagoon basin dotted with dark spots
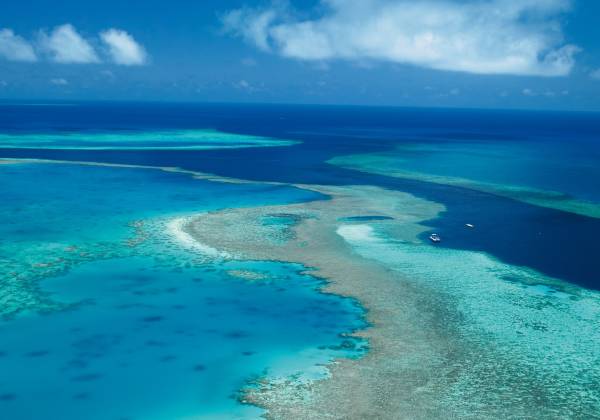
(153, 342)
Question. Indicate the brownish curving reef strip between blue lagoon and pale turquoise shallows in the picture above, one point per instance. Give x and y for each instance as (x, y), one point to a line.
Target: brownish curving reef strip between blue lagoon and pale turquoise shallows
(402, 339)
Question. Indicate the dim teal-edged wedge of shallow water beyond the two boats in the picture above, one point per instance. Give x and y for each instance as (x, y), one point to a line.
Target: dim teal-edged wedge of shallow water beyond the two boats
(556, 173)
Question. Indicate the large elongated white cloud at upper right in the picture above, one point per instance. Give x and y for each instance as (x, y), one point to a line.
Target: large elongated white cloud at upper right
(520, 37)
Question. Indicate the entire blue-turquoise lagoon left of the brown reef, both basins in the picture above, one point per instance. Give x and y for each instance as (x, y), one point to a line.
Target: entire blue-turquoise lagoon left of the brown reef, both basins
(107, 314)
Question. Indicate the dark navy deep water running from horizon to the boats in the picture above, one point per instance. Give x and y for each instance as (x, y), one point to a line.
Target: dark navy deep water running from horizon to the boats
(554, 242)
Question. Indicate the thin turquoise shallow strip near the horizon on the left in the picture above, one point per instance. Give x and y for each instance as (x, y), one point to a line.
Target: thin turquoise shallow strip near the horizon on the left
(137, 140)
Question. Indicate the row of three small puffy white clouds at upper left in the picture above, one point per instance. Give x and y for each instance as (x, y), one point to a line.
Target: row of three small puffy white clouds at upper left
(67, 46)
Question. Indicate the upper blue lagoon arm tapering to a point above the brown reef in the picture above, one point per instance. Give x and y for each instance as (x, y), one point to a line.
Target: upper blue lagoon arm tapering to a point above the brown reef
(58, 215)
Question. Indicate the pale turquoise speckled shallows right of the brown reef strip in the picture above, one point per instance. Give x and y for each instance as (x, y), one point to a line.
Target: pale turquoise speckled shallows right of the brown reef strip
(527, 342)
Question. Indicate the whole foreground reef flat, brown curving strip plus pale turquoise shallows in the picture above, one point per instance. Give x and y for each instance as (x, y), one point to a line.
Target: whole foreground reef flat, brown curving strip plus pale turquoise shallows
(437, 348)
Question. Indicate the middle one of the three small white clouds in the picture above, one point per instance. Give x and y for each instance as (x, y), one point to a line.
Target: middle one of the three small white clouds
(65, 45)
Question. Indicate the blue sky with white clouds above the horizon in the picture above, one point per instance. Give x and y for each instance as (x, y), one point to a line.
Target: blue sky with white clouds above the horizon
(531, 54)
